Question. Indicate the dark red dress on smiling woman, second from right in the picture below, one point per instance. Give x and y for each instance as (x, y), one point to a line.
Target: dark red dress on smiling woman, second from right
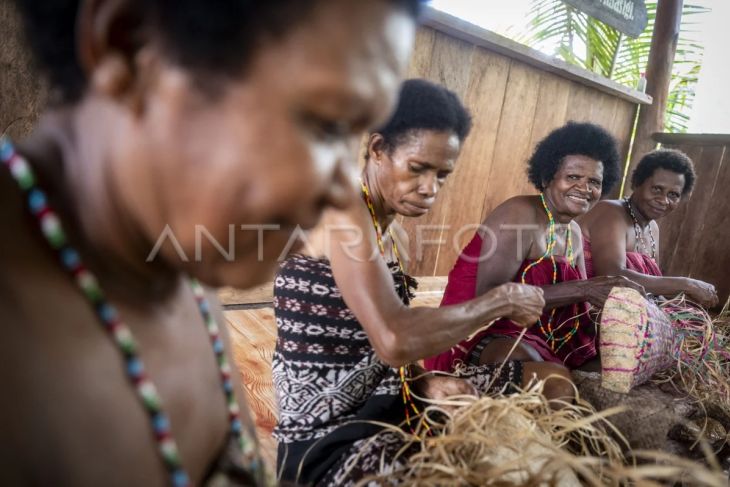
(461, 287)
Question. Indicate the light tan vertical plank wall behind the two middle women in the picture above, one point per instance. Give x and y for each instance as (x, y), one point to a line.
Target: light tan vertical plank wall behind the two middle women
(513, 105)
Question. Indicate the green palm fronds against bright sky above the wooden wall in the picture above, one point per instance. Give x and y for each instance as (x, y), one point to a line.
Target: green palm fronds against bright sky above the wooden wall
(584, 41)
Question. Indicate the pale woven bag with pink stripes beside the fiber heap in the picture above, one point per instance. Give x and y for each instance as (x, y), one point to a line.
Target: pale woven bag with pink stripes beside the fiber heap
(636, 340)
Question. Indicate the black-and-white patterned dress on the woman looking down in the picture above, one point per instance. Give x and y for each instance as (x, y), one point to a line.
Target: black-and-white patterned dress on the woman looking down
(330, 384)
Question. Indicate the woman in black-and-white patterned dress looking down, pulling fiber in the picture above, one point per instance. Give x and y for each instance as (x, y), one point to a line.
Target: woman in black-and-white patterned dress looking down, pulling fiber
(346, 333)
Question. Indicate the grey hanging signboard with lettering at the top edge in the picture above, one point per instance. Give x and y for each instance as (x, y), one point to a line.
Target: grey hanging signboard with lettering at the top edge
(627, 16)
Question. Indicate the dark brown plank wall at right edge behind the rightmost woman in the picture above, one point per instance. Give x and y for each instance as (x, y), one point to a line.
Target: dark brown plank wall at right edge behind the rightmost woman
(694, 240)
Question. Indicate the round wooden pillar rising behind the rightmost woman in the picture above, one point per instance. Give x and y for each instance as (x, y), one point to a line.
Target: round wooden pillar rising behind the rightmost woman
(658, 74)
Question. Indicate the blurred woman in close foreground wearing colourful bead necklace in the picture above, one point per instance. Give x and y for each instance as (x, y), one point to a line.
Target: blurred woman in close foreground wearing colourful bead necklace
(162, 119)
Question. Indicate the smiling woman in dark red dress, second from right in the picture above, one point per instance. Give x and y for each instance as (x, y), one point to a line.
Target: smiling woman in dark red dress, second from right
(534, 239)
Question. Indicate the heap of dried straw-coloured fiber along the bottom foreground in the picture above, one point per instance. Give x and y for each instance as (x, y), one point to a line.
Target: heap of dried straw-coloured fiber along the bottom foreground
(519, 440)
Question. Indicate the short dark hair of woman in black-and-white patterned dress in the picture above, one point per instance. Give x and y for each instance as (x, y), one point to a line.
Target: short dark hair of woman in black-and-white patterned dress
(423, 105)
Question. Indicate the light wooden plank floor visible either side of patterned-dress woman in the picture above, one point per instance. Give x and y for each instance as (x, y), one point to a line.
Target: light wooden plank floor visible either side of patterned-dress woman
(253, 336)
